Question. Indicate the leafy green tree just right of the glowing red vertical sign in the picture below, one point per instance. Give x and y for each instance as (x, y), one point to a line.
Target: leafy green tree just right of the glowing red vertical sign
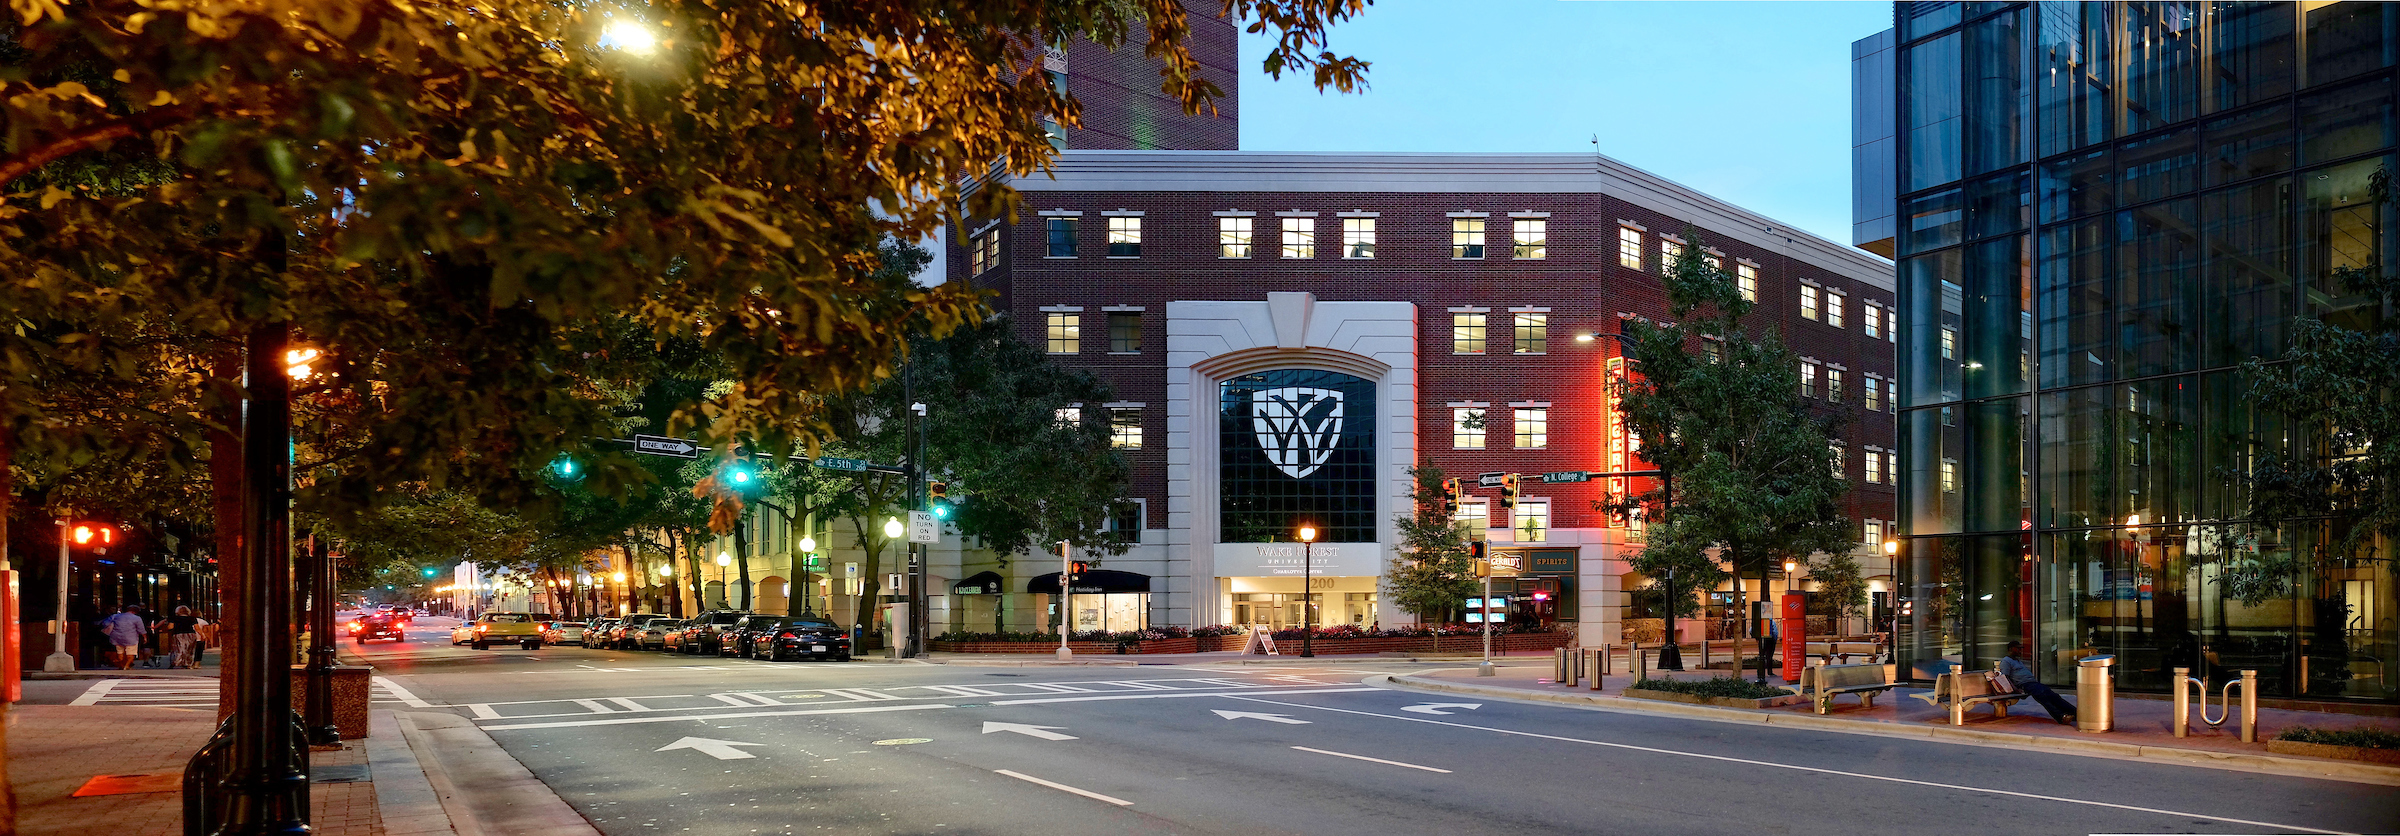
(1753, 467)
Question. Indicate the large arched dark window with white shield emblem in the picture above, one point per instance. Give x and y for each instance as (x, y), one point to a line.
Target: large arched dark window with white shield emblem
(1297, 446)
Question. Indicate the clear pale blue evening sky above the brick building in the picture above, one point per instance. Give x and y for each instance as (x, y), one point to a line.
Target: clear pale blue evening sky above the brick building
(1748, 102)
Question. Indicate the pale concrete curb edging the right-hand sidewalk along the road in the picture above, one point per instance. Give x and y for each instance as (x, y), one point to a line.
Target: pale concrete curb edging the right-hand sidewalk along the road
(1938, 734)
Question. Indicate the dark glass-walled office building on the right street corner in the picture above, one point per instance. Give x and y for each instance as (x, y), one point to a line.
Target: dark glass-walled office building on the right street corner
(2101, 213)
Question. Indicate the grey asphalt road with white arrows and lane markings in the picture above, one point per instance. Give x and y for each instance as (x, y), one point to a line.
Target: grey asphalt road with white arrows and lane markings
(647, 744)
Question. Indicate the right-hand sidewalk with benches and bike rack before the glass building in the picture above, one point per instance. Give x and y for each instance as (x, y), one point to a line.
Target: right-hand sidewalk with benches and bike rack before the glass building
(2144, 727)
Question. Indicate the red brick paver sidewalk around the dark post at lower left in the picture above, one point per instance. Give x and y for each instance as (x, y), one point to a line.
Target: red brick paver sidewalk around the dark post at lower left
(52, 751)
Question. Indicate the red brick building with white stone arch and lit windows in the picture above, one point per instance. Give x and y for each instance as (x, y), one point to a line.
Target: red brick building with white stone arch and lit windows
(1338, 318)
